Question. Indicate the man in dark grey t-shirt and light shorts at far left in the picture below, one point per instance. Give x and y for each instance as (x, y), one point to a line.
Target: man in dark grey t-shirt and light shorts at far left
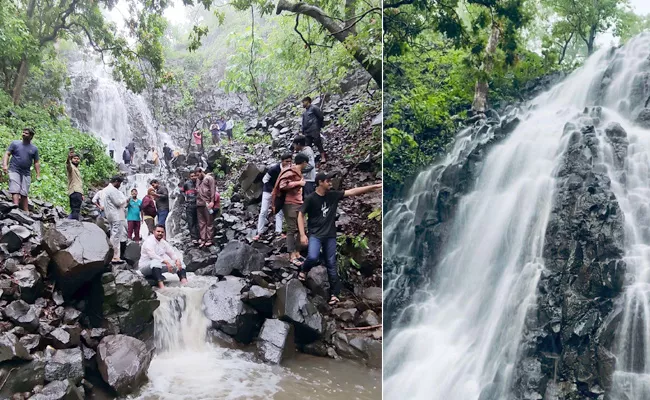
(23, 153)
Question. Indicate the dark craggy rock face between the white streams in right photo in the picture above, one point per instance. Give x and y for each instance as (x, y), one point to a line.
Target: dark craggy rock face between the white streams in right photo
(569, 337)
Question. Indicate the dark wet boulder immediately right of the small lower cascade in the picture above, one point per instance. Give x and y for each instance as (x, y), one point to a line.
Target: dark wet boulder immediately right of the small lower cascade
(224, 307)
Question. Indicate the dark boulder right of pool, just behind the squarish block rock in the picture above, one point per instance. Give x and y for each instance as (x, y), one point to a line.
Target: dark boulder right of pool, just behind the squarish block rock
(291, 305)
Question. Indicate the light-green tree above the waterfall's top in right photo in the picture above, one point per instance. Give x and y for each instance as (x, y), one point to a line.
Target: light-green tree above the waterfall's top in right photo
(587, 18)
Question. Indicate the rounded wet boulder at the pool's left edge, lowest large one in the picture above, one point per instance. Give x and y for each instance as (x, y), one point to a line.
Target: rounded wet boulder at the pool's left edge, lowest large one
(123, 362)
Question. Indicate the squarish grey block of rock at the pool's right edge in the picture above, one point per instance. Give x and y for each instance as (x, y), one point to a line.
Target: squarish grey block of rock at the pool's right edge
(275, 341)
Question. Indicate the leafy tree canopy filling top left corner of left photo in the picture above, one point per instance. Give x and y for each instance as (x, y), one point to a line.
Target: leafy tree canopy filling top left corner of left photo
(36, 24)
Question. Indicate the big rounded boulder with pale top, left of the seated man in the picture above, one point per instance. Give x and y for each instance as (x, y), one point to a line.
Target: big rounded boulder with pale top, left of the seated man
(79, 250)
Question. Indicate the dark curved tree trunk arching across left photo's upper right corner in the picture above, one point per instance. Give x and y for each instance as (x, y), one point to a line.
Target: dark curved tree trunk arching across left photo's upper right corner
(337, 30)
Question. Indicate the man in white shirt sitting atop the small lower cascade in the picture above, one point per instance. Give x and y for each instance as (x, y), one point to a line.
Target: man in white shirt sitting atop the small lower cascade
(158, 256)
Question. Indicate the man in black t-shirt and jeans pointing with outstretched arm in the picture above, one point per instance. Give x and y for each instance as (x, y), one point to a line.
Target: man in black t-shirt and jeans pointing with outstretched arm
(321, 207)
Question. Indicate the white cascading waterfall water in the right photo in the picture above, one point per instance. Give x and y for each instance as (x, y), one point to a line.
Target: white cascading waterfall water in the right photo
(463, 333)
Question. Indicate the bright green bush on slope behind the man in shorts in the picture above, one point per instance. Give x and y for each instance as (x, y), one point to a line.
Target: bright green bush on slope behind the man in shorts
(54, 135)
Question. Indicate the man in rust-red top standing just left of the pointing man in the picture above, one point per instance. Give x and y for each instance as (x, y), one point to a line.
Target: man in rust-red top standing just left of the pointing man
(288, 193)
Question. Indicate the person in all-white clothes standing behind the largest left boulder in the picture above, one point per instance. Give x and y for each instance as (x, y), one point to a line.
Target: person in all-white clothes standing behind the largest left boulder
(115, 204)
